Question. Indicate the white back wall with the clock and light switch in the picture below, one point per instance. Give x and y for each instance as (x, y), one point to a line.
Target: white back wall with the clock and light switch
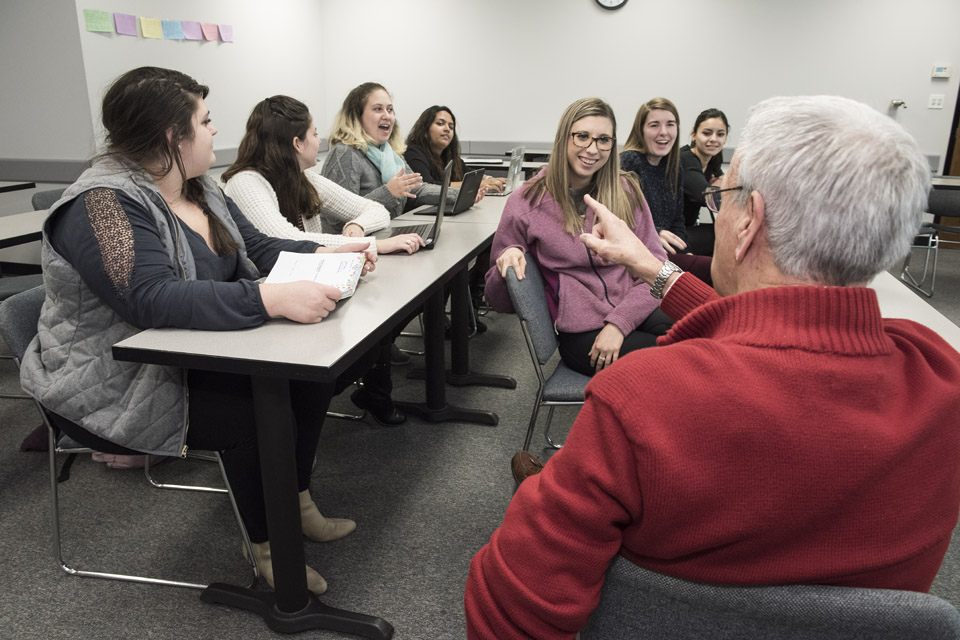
(698, 53)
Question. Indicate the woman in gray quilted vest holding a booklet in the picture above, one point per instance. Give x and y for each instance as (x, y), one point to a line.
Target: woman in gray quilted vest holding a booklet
(144, 239)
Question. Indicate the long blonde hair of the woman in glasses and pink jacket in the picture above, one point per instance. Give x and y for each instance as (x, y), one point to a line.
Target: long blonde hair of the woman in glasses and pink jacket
(607, 184)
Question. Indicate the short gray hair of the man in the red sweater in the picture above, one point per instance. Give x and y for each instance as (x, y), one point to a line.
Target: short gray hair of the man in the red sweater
(843, 186)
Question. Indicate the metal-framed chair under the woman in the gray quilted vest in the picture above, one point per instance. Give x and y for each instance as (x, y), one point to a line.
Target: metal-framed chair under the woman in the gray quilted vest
(19, 316)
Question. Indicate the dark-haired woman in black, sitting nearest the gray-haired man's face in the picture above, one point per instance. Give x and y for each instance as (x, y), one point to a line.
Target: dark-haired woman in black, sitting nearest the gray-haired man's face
(700, 162)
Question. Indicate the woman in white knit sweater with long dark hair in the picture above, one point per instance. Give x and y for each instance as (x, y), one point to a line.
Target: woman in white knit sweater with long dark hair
(273, 186)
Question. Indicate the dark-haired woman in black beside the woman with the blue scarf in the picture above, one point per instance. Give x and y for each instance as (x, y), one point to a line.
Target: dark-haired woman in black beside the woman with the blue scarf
(433, 142)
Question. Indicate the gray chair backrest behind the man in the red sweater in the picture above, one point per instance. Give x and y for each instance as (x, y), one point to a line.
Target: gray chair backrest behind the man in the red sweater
(638, 603)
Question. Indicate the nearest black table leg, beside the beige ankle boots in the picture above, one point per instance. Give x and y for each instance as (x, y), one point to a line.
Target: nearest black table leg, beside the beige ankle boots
(290, 608)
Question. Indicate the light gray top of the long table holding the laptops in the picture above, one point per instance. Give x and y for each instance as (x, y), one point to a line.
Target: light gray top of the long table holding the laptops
(288, 349)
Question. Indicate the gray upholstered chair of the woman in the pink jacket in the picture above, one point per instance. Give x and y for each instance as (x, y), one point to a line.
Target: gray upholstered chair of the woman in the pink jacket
(564, 386)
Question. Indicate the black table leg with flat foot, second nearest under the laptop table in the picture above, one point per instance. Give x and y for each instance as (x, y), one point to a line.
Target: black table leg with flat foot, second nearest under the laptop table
(436, 409)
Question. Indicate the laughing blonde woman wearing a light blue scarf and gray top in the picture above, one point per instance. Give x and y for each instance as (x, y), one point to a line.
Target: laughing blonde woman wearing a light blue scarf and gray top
(366, 155)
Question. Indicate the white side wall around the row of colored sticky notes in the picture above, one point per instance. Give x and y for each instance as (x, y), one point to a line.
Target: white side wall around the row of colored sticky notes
(272, 53)
